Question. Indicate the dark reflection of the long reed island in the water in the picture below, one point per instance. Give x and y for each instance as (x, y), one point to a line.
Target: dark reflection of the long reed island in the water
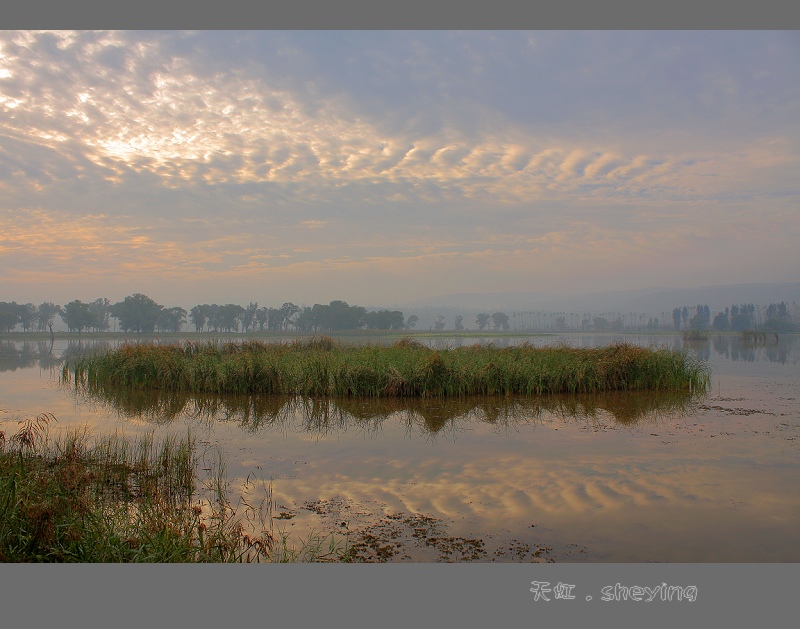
(321, 416)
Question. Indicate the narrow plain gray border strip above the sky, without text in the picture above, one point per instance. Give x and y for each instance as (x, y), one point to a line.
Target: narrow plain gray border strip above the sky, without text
(409, 14)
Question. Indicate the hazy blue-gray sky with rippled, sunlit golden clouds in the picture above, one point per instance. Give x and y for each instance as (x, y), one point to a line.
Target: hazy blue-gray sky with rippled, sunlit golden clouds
(387, 167)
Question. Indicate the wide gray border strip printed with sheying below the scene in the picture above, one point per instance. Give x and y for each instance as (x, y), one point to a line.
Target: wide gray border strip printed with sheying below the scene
(735, 595)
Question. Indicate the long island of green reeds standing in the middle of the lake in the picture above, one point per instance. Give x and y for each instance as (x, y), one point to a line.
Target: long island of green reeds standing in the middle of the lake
(323, 367)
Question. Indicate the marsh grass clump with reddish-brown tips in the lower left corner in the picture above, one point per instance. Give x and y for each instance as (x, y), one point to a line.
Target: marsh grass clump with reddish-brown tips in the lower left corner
(75, 498)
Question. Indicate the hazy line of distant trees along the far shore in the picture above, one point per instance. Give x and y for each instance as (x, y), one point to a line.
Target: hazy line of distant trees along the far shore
(140, 314)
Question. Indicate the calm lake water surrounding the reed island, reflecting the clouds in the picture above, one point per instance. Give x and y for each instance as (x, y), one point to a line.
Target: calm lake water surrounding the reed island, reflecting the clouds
(618, 478)
